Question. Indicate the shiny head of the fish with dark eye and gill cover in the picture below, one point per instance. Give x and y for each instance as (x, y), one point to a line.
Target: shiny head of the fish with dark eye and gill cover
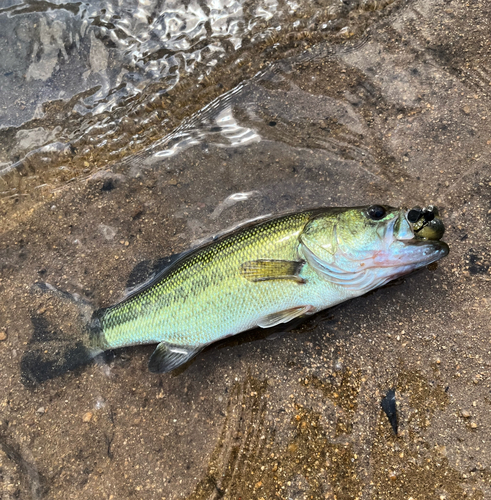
(377, 240)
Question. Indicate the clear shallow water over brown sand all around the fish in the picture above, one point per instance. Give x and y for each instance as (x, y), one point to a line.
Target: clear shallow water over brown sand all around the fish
(130, 131)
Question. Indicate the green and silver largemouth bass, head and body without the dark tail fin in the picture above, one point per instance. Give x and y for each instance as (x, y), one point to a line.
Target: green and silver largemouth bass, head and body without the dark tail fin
(265, 274)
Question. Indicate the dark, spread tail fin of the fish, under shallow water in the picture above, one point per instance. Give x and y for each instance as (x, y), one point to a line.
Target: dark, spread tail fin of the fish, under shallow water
(52, 352)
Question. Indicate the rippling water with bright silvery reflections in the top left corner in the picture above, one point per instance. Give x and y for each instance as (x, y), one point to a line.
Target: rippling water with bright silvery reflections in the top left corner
(109, 78)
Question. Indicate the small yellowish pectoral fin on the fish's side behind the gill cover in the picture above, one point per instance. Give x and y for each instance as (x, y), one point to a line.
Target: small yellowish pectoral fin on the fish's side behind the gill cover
(270, 269)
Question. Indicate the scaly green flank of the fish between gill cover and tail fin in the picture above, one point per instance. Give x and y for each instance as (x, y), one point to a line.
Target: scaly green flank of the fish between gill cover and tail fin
(207, 281)
